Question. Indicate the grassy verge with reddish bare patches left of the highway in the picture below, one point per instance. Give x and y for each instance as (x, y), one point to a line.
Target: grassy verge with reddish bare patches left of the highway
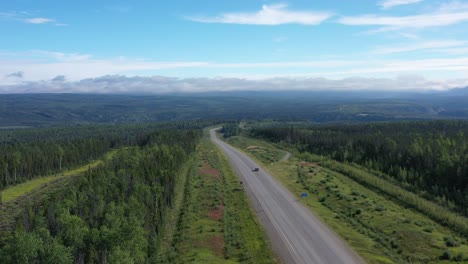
(216, 224)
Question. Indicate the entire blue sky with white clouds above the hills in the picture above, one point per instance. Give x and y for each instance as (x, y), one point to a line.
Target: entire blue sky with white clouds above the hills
(186, 45)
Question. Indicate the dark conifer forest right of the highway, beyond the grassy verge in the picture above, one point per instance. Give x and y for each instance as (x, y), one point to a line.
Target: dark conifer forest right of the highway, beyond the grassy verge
(430, 157)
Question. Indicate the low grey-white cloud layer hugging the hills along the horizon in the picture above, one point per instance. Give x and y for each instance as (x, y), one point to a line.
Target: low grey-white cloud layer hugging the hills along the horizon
(161, 85)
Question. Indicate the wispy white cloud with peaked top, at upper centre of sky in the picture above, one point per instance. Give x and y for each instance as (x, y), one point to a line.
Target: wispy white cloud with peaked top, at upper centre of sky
(269, 15)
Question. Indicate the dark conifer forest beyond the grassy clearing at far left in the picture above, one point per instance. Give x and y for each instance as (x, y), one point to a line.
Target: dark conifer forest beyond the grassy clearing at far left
(28, 153)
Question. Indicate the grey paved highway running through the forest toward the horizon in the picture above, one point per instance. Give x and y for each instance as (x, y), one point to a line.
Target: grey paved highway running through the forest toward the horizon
(296, 234)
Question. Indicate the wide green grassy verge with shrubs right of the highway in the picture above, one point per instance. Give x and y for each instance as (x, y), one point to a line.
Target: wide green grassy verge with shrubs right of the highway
(380, 229)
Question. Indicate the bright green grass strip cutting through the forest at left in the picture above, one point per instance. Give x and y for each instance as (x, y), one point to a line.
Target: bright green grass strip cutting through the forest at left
(18, 190)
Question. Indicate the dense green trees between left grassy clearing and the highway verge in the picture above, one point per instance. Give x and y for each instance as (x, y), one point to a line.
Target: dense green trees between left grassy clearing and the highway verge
(113, 214)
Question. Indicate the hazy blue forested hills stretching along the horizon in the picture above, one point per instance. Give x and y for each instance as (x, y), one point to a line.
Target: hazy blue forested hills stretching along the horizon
(68, 109)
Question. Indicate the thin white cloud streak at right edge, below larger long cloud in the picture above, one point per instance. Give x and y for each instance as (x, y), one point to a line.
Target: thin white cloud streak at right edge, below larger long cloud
(427, 45)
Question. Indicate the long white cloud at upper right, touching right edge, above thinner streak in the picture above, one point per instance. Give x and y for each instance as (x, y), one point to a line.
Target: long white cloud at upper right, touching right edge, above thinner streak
(437, 19)
